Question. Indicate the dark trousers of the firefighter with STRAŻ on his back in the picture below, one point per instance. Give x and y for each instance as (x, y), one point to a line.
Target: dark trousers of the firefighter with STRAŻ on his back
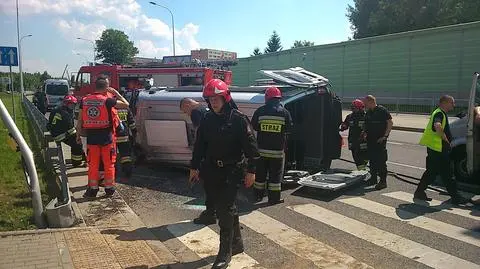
(273, 169)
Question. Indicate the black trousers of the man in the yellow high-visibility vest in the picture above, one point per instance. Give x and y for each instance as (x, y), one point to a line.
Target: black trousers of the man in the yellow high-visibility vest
(438, 163)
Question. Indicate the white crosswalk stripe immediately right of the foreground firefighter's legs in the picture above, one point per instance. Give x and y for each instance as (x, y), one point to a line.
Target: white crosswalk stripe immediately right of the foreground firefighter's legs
(300, 244)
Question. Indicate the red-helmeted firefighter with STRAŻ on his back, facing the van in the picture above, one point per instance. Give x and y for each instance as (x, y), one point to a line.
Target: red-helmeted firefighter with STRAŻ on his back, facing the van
(272, 122)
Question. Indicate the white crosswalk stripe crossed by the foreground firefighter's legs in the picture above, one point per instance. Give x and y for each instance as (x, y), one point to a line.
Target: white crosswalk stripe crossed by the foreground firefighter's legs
(204, 242)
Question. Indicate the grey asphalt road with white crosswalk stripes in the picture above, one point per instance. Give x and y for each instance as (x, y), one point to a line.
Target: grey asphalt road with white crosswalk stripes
(382, 229)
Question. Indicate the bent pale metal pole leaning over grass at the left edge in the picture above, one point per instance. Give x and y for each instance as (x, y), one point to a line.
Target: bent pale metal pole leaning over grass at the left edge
(27, 155)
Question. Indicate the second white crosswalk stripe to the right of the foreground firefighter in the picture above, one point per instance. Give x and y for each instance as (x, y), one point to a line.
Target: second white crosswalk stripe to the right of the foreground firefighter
(397, 244)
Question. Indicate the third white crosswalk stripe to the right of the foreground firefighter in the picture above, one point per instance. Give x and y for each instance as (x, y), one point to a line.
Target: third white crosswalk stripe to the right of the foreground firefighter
(416, 220)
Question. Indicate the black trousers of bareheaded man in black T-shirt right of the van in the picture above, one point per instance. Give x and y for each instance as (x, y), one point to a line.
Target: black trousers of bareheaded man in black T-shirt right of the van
(377, 153)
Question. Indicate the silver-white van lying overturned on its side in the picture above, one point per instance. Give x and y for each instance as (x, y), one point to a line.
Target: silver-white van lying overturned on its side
(166, 135)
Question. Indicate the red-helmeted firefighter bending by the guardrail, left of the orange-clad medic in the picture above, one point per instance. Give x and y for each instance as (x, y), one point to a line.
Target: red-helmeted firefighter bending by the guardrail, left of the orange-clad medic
(61, 126)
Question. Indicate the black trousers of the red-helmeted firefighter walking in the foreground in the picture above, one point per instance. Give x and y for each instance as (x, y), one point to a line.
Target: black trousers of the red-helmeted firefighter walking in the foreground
(221, 185)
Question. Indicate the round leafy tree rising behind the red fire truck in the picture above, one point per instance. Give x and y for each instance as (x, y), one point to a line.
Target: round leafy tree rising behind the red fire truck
(114, 47)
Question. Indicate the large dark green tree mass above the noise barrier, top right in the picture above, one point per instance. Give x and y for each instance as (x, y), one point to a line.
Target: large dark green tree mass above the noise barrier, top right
(379, 17)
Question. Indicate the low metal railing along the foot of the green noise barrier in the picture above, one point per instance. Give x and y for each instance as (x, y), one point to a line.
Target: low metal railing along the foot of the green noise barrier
(411, 105)
